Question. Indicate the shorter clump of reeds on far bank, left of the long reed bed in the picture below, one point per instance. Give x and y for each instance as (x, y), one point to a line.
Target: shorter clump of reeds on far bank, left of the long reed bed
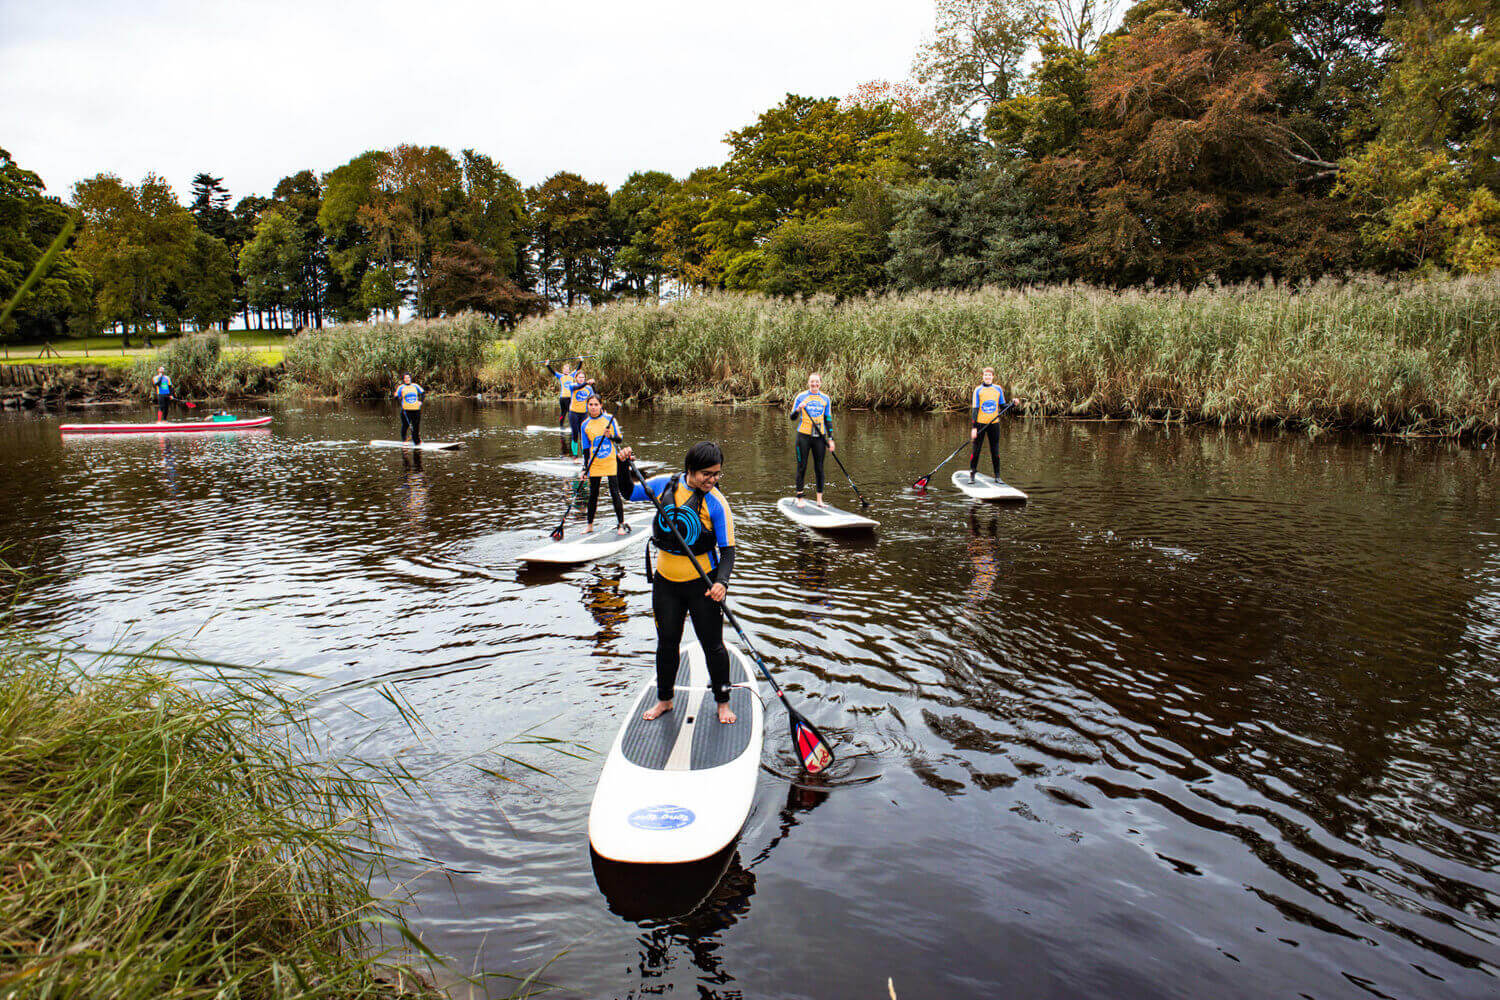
(365, 361)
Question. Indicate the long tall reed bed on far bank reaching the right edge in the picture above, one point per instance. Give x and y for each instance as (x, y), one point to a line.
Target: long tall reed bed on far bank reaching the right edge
(1367, 353)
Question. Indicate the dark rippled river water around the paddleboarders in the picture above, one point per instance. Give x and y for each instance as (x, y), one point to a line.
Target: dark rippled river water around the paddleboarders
(1216, 714)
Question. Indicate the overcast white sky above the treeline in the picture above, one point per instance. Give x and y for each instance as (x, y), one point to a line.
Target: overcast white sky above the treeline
(260, 89)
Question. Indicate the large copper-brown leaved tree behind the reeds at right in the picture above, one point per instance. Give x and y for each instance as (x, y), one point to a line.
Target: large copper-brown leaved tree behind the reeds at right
(1187, 170)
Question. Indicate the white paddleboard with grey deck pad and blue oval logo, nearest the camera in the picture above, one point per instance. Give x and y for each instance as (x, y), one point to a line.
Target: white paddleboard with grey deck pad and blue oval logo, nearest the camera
(680, 788)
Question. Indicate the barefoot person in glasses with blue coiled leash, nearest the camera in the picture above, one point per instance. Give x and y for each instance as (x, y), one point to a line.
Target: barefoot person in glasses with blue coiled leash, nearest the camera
(694, 504)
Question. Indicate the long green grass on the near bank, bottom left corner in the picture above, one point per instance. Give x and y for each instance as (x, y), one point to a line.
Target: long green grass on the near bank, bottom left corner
(161, 842)
